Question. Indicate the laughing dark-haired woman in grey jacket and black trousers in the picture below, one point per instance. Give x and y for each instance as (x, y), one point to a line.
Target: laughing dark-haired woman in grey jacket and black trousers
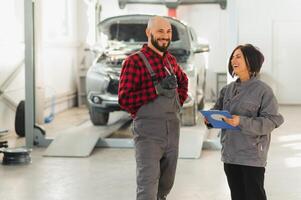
(254, 110)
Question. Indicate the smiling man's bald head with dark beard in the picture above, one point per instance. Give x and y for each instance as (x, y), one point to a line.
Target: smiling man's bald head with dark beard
(160, 34)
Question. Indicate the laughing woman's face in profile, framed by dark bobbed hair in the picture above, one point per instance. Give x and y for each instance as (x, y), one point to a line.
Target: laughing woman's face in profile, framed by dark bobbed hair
(239, 65)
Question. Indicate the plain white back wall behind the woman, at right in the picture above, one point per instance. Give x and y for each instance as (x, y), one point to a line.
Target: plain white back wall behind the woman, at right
(275, 27)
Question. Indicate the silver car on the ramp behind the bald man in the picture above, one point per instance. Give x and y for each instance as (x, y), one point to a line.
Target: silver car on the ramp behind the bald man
(124, 35)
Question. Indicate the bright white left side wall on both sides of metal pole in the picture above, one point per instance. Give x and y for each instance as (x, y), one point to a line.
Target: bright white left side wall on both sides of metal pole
(58, 43)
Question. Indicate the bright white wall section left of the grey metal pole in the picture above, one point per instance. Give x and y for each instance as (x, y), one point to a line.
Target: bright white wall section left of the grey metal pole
(12, 53)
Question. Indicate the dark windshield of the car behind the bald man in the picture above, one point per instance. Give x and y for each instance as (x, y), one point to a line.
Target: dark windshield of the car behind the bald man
(129, 32)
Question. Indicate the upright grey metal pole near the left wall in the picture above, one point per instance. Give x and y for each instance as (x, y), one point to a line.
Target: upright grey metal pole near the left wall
(29, 71)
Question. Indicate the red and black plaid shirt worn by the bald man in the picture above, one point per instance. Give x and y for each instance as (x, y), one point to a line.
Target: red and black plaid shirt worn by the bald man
(136, 87)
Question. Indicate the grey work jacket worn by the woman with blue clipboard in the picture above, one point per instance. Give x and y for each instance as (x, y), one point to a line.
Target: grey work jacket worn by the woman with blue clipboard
(255, 103)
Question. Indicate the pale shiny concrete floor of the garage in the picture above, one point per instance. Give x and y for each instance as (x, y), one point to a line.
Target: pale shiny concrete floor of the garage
(109, 174)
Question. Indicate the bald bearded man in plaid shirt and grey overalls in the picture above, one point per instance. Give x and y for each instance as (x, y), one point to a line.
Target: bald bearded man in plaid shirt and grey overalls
(153, 89)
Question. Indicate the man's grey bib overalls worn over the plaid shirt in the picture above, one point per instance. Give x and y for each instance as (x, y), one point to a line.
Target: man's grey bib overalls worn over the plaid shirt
(156, 130)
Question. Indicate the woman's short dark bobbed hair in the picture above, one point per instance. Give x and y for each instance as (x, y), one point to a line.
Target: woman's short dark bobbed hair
(253, 57)
